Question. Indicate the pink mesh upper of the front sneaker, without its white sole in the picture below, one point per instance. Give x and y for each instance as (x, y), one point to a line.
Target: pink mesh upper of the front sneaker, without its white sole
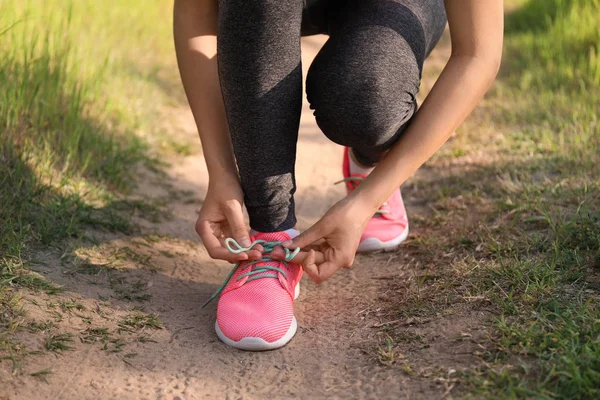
(261, 308)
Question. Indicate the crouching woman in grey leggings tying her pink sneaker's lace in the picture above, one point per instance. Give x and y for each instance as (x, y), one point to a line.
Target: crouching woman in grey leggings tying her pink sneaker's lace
(362, 86)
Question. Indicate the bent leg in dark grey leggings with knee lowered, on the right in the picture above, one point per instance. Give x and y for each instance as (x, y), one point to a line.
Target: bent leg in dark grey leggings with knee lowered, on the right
(364, 82)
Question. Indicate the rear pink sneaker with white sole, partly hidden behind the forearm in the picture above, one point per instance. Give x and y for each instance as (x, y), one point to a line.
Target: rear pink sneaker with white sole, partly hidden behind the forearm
(389, 226)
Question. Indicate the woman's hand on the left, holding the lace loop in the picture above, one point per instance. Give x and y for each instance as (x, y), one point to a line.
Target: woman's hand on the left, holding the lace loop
(221, 217)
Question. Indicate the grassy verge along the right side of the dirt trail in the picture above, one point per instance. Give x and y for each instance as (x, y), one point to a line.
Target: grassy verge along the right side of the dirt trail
(522, 201)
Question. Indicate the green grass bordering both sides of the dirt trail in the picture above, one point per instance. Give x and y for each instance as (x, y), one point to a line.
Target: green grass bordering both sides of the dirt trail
(80, 111)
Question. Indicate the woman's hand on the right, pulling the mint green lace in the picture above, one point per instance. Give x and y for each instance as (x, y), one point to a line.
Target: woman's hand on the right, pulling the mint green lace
(333, 240)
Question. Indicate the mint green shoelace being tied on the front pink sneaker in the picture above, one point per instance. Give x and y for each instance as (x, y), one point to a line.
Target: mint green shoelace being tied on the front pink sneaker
(254, 273)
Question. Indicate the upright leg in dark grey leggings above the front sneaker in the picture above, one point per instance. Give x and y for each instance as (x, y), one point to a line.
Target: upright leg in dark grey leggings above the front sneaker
(261, 82)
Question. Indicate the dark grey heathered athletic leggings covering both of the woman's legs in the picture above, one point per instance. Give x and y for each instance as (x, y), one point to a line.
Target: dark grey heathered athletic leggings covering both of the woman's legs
(362, 85)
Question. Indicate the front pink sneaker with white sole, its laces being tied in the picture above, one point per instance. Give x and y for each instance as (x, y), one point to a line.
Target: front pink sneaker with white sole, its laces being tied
(256, 308)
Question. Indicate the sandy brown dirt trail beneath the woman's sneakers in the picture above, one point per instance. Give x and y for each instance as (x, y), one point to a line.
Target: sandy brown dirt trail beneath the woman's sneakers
(334, 354)
